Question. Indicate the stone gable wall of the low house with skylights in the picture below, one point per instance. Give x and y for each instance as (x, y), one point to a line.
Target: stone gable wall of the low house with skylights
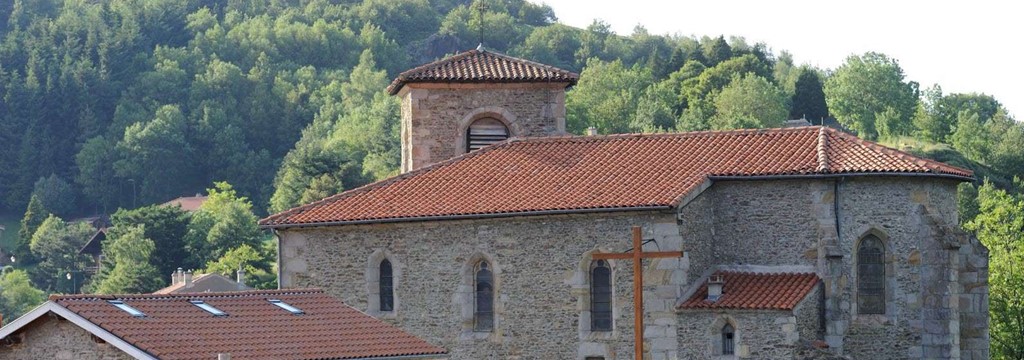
(55, 338)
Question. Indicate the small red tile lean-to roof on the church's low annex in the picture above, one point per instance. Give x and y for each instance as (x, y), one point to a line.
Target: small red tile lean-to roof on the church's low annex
(755, 292)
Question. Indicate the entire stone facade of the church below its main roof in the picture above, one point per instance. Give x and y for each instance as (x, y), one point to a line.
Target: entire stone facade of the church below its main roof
(936, 277)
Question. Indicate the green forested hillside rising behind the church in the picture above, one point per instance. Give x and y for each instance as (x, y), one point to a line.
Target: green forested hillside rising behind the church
(124, 104)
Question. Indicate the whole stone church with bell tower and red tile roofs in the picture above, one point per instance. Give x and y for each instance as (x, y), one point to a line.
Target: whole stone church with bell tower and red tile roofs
(800, 242)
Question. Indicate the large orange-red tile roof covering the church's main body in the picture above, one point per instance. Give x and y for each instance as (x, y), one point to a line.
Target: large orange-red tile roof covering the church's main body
(603, 173)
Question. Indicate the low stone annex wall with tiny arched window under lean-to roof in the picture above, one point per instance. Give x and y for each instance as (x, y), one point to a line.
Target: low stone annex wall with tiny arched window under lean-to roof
(759, 335)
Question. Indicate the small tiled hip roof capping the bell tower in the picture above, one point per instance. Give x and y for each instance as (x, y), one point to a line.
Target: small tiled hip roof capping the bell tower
(483, 67)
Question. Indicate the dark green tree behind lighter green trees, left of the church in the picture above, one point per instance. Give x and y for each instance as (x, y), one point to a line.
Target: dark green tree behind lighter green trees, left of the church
(166, 227)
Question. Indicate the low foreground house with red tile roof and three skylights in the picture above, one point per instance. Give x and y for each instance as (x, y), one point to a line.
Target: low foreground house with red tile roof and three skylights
(259, 325)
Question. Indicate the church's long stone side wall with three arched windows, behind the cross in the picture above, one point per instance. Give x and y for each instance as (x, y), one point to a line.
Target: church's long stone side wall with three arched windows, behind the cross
(540, 264)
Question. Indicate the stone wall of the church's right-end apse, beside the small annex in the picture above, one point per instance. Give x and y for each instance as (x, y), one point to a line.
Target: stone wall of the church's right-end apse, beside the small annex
(793, 222)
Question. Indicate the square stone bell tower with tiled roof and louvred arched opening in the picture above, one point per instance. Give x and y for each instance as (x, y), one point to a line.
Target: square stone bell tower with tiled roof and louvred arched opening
(475, 100)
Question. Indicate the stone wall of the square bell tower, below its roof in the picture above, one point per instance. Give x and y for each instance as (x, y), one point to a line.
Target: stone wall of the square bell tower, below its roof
(435, 117)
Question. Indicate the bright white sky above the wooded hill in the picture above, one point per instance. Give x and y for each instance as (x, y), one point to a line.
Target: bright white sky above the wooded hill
(964, 47)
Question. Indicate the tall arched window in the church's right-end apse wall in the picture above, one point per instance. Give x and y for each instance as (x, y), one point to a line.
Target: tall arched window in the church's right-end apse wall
(871, 277)
